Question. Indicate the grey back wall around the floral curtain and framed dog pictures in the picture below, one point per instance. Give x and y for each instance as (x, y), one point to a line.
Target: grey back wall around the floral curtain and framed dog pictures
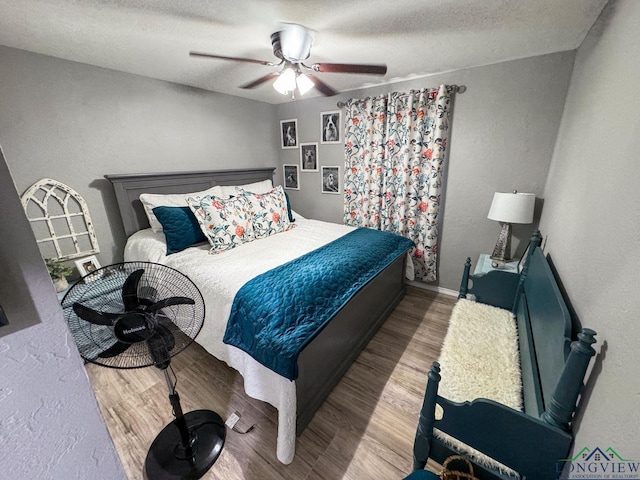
(502, 136)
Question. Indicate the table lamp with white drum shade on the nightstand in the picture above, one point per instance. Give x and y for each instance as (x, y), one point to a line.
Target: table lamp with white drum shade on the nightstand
(508, 208)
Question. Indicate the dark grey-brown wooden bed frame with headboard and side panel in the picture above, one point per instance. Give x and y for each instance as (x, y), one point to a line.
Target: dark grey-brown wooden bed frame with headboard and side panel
(326, 359)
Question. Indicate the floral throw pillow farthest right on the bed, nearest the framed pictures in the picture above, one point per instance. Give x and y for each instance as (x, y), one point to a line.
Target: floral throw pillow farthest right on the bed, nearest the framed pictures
(269, 211)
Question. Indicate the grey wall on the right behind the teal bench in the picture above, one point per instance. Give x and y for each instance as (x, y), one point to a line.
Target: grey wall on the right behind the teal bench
(591, 220)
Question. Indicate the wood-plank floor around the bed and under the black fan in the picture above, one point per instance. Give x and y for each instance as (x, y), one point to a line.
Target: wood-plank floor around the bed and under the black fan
(364, 430)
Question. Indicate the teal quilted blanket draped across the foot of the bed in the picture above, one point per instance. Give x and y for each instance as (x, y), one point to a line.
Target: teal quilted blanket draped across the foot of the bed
(276, 314)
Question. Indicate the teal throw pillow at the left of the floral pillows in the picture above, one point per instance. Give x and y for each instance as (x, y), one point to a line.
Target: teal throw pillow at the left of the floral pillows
(180, 227)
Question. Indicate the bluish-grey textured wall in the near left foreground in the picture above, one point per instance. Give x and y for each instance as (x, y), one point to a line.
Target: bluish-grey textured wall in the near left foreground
(50, 424)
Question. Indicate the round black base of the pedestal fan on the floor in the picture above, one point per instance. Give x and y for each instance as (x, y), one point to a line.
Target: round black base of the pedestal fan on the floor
(163, 459)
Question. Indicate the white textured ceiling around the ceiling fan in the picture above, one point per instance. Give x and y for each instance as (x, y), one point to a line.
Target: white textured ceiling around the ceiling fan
(413, 37)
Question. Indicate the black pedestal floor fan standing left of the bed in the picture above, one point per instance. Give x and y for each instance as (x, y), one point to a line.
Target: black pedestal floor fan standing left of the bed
(138, 314)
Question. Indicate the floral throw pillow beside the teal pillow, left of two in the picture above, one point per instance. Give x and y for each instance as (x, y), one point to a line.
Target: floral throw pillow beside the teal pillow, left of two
(226, 223)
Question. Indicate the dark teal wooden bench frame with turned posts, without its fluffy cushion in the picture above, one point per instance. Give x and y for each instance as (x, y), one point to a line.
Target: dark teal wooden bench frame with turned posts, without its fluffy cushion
(554, 357)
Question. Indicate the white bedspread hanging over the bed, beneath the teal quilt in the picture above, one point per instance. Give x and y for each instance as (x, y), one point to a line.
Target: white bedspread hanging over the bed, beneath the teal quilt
(219, 277)
